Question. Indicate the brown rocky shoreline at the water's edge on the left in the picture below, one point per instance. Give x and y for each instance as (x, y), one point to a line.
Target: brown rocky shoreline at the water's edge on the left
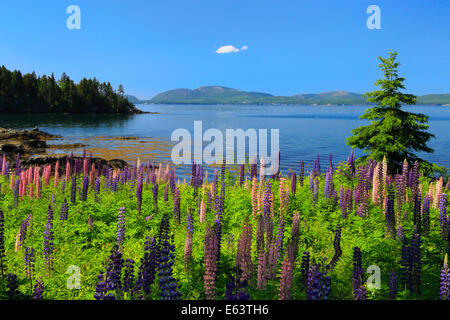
(31, 146)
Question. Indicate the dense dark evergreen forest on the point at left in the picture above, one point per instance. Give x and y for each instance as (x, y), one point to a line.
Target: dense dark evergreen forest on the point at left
(29, 93)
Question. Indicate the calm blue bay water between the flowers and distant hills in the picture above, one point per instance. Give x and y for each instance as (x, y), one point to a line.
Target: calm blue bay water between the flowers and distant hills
(305, 131)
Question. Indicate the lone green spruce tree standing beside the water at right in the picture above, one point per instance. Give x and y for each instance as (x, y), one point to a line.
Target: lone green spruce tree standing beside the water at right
(392, 132)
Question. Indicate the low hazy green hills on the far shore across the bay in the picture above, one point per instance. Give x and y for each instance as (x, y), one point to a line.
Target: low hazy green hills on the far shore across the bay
(224, 95)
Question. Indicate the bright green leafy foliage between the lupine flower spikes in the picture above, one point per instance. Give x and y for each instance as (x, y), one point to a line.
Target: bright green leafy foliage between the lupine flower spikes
(87, 247)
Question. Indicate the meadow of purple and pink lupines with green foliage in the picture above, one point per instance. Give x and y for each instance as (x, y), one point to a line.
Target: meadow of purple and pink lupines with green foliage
(143, 233)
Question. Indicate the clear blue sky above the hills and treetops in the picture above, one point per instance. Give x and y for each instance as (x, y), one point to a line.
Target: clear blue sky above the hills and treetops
(293, 46)
